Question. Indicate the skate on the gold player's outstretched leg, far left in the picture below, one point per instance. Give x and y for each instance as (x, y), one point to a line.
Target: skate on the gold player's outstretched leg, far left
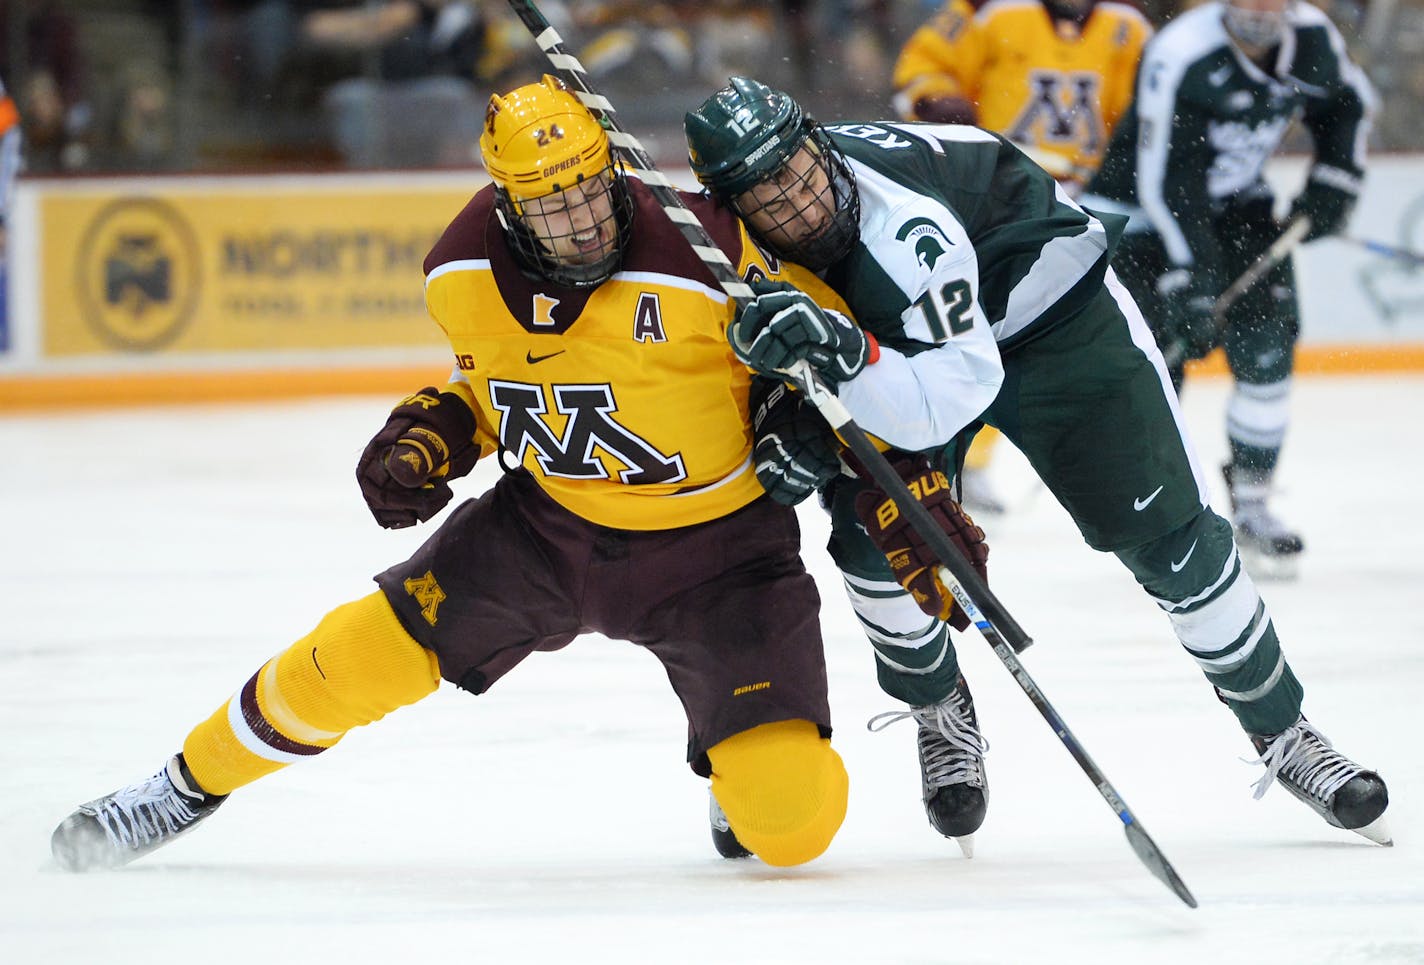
(135, 821)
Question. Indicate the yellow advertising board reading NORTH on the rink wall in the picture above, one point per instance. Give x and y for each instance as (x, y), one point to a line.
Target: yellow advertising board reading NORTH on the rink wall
(239, 270)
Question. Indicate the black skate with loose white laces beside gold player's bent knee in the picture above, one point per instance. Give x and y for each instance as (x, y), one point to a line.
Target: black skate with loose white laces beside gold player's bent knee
(952, 764)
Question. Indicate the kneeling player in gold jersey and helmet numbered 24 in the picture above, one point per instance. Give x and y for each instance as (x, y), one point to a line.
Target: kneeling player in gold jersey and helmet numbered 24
(592, 354)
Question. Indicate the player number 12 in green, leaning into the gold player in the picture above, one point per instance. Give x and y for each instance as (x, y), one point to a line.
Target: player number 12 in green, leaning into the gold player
(983, 294)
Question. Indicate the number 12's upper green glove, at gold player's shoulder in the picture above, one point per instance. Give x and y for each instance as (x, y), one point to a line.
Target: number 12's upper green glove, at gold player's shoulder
(784, 325)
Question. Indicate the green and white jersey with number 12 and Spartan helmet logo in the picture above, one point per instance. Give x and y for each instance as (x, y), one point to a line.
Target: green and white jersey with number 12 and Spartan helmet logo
(966, 250)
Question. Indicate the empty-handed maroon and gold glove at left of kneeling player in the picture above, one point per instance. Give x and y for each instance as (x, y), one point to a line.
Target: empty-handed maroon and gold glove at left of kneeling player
(405, 470)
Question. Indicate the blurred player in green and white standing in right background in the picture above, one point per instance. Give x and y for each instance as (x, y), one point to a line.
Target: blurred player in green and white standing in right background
(1215, 95)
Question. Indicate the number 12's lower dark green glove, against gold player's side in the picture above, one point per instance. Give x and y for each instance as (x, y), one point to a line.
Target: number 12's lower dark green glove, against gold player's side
(794, 450)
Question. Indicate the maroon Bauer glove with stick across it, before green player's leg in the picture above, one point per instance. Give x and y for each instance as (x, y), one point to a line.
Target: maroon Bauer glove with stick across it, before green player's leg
(912, 561)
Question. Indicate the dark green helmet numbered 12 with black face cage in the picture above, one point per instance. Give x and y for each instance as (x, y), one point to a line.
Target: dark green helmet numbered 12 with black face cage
(747, 135)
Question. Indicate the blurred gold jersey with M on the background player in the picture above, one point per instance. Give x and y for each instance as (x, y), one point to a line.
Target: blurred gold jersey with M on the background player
(1053, 86)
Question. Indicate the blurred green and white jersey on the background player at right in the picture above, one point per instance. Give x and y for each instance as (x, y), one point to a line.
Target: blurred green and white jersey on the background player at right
(1207, 119)
